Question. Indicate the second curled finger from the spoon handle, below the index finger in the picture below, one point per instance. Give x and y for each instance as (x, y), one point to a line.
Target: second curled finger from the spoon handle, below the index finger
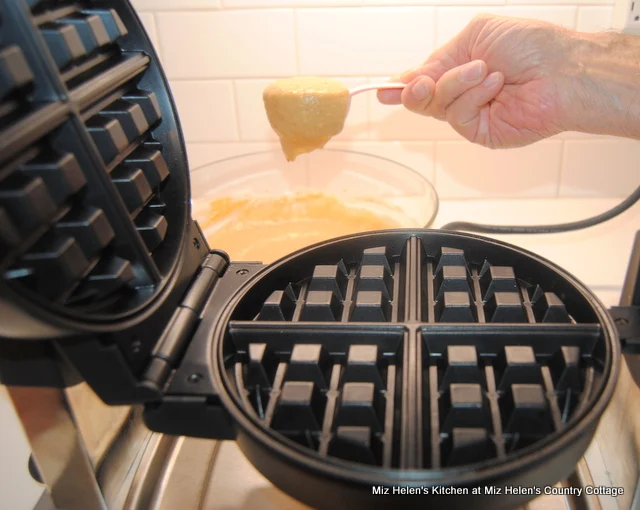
(468, 114)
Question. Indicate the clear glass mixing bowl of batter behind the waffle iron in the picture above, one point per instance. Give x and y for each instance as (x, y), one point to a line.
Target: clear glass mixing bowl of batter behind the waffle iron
(260, 207)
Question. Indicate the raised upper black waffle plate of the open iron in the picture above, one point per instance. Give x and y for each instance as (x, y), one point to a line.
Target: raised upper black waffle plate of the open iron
(93, 178)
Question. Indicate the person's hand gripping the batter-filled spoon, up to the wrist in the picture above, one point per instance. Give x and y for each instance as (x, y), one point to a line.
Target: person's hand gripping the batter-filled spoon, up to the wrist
(501, 82)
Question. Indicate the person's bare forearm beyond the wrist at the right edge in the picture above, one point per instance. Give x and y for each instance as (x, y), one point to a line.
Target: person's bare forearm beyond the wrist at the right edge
(607, 81)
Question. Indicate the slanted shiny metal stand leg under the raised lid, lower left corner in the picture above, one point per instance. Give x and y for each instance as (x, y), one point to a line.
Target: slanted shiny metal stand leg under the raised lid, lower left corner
(58, 447)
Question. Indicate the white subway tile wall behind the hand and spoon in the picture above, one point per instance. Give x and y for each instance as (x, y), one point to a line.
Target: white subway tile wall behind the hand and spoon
(220, 54)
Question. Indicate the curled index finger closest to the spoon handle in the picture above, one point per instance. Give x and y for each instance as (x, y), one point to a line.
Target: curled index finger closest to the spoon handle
(426, 97)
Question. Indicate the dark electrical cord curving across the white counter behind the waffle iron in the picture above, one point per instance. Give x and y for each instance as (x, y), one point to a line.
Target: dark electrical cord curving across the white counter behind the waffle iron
(547, 229)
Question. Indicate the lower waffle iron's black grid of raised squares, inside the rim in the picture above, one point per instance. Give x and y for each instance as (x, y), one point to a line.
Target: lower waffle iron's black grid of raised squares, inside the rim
(362, 363)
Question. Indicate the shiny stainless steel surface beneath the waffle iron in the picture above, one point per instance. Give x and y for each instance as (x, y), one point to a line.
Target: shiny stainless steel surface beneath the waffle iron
(141, 470)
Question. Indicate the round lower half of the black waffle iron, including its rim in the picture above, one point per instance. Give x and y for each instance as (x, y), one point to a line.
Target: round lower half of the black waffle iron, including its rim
(416, 359)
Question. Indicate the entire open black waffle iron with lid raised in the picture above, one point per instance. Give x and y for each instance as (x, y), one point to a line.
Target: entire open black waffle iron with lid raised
(406, 367)
